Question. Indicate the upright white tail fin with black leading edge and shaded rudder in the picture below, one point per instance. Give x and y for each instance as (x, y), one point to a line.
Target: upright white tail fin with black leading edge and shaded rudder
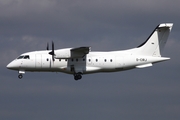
(155, 43)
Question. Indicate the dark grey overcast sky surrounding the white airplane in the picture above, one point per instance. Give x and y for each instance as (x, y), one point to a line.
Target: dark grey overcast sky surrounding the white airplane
(140, 94)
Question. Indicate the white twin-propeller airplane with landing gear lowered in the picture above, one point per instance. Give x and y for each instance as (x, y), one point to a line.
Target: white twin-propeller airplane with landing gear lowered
(81, 60)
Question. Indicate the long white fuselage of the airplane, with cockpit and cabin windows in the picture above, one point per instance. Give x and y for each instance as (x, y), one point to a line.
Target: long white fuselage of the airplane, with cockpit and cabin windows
(90, 63)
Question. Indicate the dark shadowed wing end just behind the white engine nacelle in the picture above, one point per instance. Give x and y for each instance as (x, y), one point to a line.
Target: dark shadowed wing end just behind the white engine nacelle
(80, 51)
